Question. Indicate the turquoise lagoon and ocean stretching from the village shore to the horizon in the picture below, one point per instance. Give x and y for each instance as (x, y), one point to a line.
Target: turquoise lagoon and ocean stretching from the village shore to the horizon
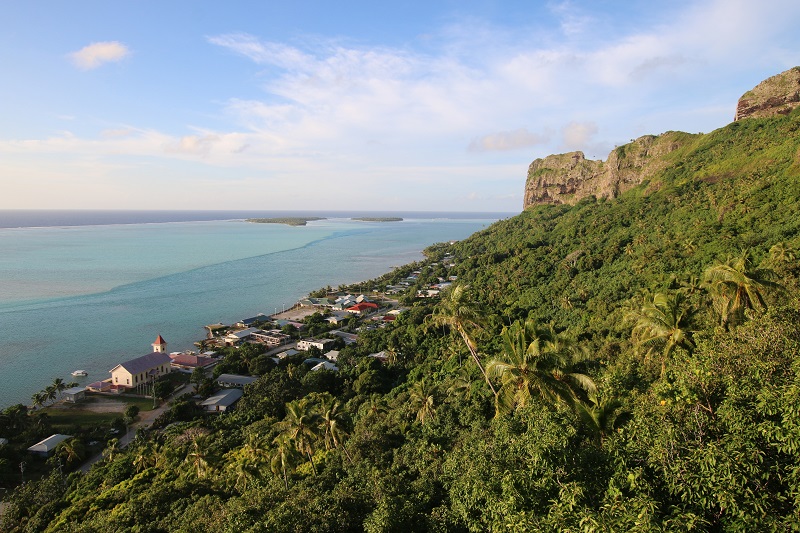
(90, 289)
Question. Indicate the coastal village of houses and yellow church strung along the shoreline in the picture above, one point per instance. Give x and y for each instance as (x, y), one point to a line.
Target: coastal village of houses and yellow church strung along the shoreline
(312, 331)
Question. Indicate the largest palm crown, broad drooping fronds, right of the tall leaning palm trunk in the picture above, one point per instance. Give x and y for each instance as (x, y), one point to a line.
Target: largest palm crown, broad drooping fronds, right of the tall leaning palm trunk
(532, 365)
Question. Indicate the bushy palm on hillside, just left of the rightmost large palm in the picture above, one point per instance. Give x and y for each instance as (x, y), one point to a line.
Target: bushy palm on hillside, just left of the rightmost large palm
(662, 322)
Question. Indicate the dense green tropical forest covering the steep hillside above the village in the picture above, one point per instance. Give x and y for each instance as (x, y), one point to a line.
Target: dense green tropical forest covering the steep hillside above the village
(621, 365)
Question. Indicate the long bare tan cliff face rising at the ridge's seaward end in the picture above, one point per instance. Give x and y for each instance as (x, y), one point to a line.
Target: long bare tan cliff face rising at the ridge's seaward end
(566, 178)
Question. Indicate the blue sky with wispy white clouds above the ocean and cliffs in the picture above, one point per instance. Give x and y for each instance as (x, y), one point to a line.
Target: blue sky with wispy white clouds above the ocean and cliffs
(425, 106)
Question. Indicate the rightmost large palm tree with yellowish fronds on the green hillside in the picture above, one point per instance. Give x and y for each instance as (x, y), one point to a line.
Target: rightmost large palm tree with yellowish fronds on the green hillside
(737, 286)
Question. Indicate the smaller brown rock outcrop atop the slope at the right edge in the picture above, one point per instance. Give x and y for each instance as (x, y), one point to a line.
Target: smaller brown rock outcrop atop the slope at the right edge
(777, 95)
